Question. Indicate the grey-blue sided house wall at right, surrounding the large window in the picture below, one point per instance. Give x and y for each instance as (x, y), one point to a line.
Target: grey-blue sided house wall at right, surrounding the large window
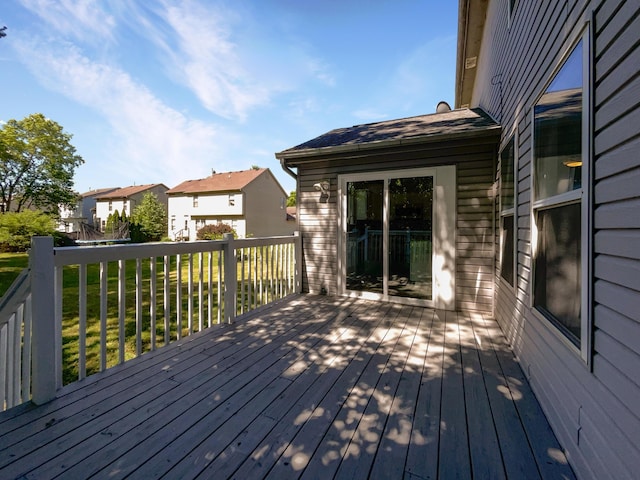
(594, 408)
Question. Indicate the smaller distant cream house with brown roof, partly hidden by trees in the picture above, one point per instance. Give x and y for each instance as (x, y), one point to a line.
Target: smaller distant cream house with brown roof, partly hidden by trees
(124, 200)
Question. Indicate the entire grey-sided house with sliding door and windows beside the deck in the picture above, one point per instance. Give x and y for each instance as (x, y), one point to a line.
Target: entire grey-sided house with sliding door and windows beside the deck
(524, 205)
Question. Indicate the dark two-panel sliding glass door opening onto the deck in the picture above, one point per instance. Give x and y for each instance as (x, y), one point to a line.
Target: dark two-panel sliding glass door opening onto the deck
(389, 238)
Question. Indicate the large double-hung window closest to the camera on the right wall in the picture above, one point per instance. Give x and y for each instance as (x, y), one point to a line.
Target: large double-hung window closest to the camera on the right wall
(560, 206)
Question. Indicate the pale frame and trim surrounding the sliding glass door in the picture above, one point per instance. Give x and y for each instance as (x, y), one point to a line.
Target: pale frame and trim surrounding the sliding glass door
(443, 232)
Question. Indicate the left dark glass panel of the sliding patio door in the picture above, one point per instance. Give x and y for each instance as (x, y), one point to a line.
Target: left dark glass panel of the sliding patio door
(364, 236)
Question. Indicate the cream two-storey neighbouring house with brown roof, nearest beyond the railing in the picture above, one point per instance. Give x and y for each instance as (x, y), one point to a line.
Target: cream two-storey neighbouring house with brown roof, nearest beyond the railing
(252, 202)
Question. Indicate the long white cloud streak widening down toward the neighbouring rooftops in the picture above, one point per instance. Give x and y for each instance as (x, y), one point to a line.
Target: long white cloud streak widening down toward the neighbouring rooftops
(152, 141)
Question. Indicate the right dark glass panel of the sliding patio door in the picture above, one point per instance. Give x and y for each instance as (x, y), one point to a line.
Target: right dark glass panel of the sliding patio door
(410, 237)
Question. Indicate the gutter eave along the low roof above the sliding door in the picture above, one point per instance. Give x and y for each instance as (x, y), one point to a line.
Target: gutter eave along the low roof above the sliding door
(286, 156)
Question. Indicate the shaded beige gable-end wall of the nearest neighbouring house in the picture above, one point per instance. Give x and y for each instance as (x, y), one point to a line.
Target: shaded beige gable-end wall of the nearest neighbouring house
(265, 209)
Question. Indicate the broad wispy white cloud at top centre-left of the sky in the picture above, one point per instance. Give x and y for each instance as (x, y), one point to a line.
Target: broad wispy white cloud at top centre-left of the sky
(230, 61)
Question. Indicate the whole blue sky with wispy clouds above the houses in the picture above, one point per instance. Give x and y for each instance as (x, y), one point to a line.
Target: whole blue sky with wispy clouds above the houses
(162, 91)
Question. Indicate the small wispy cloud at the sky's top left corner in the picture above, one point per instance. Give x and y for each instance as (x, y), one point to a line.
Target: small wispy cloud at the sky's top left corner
(82, 19)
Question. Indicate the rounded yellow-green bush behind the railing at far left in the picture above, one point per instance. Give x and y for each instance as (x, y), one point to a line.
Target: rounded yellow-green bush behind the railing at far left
(17, 228)
